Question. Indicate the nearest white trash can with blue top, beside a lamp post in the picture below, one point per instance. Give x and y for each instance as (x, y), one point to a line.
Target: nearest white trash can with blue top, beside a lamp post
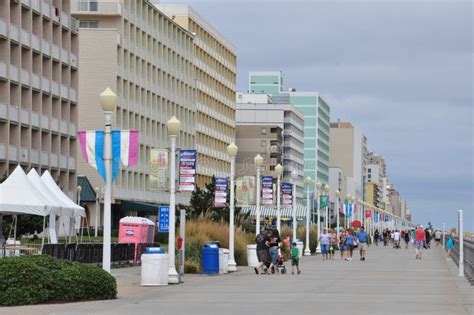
(154, 267)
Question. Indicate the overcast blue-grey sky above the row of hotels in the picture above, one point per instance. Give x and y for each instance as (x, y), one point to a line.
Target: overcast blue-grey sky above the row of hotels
(401, 71)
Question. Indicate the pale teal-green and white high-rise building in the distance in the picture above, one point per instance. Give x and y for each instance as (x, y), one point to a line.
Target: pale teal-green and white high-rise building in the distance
(316, 119)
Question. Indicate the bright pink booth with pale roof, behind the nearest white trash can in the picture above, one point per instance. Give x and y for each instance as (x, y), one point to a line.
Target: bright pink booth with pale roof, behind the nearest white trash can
(136, 230)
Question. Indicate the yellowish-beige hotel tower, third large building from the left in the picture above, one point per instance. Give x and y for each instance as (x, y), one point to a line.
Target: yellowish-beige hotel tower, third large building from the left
(215, 60)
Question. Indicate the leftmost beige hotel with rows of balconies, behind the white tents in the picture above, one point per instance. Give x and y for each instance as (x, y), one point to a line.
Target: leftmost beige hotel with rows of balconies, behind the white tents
(38, 88)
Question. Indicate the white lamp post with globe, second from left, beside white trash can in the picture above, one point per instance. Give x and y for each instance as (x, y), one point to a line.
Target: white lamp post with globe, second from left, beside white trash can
(173, 125)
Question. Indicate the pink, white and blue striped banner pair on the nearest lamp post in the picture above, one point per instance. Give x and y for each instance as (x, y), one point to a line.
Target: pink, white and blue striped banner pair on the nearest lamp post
(124, 149)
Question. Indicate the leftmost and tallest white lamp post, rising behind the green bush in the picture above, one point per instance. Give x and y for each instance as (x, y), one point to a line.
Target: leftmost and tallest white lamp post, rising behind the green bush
(108, 100)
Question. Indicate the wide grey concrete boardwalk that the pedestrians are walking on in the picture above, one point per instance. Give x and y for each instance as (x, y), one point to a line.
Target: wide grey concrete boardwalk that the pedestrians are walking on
(388, 282)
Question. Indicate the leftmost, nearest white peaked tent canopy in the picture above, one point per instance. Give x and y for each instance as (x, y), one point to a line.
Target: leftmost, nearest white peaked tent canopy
(19, 196)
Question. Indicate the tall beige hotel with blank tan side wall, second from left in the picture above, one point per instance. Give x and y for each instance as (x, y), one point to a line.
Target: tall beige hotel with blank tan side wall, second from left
(147, 59)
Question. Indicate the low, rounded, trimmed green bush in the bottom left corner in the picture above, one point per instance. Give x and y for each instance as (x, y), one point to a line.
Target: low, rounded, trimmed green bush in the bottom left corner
(38, 279)
